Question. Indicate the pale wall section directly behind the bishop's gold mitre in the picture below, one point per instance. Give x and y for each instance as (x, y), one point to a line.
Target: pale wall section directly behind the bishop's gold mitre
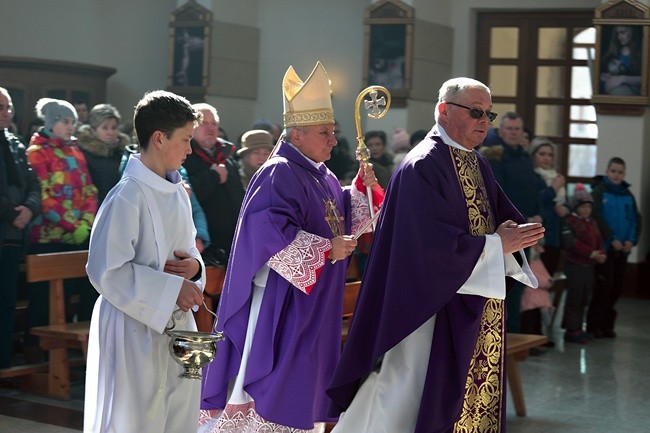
(299, 34)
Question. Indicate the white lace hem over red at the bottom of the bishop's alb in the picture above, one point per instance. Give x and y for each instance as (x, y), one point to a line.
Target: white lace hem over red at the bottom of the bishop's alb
(243, 418)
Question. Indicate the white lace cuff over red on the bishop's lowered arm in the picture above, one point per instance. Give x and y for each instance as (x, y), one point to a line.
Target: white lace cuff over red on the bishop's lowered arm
(299, 261)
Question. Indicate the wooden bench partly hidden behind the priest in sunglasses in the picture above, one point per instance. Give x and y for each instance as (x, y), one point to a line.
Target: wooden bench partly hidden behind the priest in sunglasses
(517, 346)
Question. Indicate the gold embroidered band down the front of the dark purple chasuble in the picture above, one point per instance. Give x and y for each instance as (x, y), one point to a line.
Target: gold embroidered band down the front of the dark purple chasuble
(484, 400)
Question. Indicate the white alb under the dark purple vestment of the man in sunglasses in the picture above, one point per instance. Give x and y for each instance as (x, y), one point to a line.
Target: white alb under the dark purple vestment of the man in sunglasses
(388, 401)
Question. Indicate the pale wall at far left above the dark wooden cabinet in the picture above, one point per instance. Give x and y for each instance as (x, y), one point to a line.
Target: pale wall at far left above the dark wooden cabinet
(131, 36)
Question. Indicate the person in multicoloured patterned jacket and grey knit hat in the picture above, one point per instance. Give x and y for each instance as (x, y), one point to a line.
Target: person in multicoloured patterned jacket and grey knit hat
(69, 205)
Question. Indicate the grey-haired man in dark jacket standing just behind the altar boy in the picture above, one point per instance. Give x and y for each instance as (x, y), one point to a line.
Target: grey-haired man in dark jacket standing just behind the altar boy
(214, 176)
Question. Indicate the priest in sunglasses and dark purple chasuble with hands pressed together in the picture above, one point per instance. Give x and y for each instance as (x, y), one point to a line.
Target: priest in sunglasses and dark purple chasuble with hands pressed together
(426, 349)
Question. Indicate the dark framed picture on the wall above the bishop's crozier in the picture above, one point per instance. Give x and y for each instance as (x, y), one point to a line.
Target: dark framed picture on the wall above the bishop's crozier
(388, 48)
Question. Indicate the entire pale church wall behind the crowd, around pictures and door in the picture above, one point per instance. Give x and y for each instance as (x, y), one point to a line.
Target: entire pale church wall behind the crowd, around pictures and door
(132, 36)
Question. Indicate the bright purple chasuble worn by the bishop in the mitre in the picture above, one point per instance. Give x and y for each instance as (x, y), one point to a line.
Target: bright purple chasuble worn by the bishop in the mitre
(296, 344)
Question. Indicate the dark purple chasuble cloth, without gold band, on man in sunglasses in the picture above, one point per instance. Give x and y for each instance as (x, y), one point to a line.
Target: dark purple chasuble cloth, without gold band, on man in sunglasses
(422, 253)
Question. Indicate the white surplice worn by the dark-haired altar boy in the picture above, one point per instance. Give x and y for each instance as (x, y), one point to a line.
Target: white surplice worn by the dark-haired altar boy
(132, 382)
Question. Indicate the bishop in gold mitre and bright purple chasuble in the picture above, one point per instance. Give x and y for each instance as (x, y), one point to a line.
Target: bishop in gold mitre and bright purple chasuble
(280, 309)
